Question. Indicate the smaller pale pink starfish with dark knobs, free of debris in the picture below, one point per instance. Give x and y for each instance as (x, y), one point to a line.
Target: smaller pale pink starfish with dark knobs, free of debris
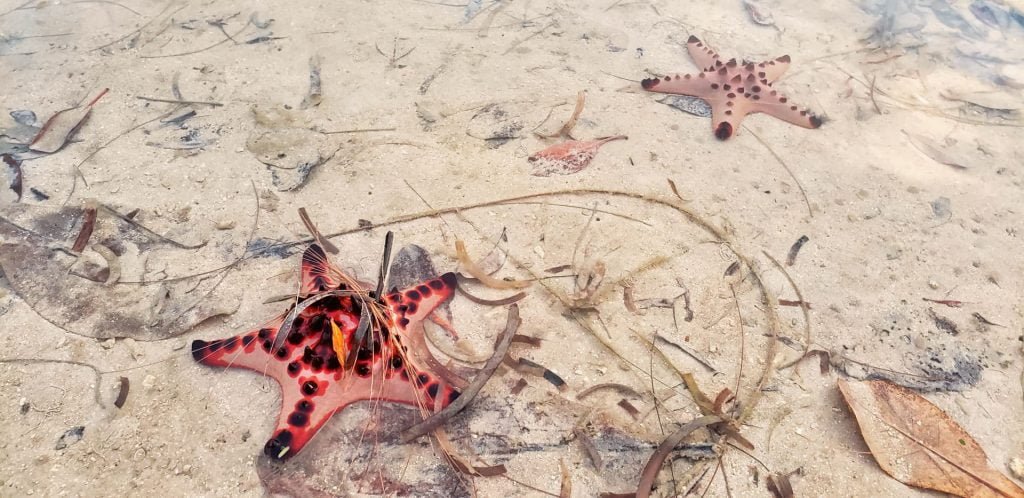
(734, 90)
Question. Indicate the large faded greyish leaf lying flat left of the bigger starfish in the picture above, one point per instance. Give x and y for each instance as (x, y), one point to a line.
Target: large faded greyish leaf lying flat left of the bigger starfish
(83, 303)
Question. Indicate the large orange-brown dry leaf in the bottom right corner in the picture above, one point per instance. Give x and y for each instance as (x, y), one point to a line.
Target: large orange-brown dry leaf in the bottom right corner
(920, 445)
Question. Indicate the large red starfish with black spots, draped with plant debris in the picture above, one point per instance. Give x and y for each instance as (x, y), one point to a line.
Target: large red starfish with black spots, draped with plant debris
(393, 363)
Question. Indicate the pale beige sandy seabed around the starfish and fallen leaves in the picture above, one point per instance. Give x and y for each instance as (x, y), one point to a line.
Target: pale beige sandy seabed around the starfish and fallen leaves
(453, 94)
